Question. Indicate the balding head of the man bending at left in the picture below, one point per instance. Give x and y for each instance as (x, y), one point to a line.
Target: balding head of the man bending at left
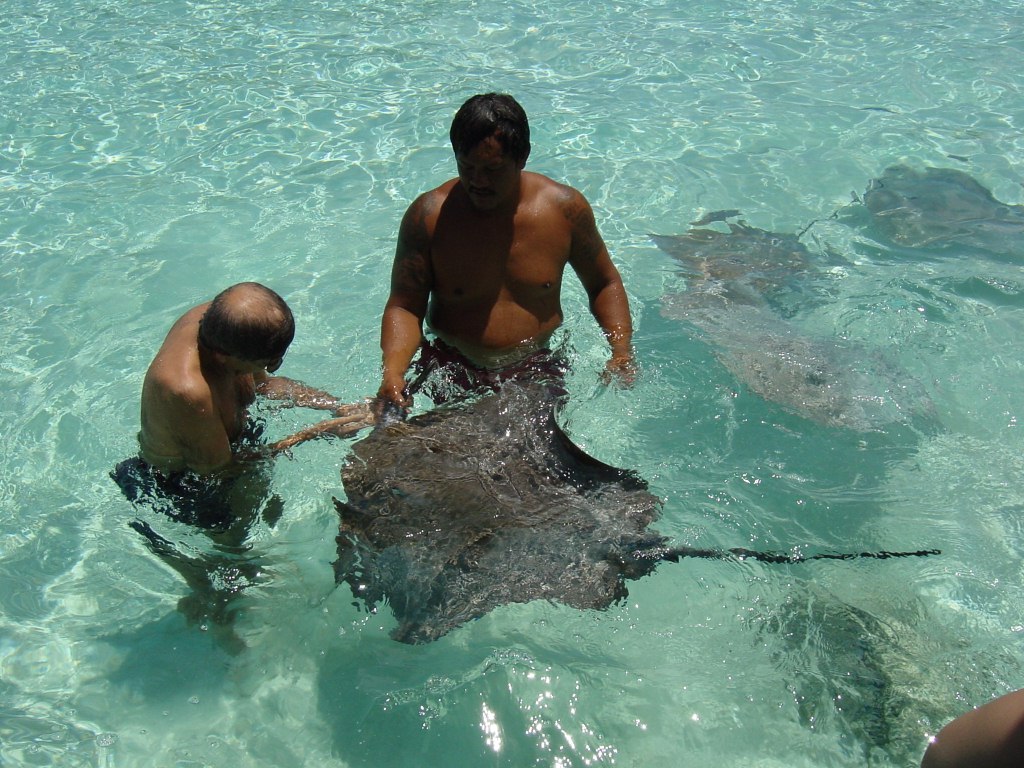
(249, 322)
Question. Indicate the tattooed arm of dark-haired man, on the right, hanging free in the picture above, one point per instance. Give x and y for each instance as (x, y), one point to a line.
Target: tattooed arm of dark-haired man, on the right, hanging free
(609, 303)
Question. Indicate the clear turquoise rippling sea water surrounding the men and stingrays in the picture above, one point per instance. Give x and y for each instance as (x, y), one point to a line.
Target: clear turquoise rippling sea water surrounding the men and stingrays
(154, 153)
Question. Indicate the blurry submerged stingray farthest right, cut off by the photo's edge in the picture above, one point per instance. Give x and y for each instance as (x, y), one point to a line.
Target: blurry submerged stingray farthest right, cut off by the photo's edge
(944, 207)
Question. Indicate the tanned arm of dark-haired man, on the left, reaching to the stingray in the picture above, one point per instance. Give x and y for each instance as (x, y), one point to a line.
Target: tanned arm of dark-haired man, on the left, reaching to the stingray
(402, 325)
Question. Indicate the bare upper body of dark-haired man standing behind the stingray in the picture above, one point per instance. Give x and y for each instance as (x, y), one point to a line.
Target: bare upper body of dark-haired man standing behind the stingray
(482, 258)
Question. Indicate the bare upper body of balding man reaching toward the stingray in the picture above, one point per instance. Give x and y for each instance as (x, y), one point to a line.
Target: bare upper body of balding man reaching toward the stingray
(215, 362)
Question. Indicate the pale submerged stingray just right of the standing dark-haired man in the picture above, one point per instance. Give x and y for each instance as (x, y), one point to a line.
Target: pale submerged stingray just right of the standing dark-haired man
(734, 278)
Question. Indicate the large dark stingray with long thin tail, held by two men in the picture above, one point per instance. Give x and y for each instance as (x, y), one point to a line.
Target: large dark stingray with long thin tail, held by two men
(489, 502)
